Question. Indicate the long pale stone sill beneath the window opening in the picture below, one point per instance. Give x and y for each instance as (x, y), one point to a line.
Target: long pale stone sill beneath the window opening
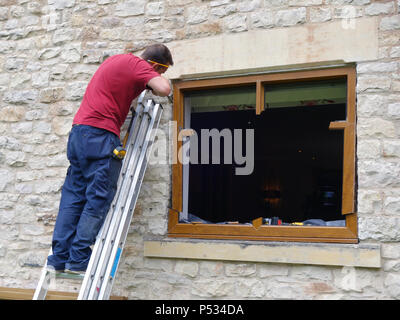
(352, 255)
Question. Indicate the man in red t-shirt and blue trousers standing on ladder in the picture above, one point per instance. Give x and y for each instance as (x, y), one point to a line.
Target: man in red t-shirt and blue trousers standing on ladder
(91, 180)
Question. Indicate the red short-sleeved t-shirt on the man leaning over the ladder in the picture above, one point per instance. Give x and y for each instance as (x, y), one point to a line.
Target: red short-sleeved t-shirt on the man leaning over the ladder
(118, 80)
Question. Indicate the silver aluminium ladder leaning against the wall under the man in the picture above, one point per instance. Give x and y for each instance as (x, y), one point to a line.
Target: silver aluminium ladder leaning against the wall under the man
(100, 274)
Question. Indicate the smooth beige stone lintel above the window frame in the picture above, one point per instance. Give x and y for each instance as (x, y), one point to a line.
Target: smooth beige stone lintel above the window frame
(260, 50)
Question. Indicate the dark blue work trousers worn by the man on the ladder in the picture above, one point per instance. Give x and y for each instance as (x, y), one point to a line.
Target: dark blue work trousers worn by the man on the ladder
(86, 196)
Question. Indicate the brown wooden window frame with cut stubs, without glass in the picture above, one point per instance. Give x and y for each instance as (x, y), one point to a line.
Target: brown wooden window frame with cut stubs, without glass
(347, 234)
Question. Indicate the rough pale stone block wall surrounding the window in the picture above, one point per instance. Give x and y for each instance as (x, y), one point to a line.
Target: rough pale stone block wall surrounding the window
(48, 53)
